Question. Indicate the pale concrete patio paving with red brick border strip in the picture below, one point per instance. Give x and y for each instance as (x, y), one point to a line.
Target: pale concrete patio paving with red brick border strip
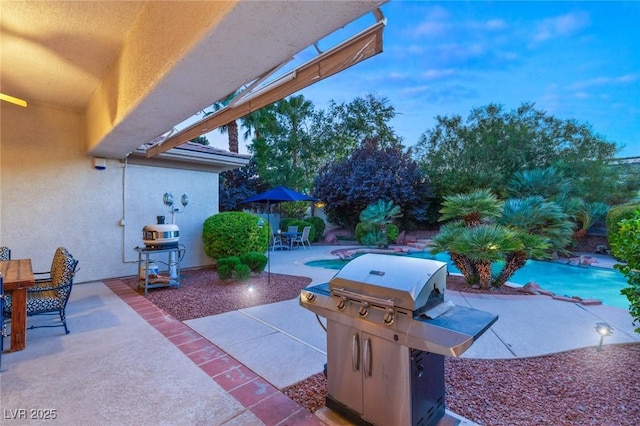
(127, 362)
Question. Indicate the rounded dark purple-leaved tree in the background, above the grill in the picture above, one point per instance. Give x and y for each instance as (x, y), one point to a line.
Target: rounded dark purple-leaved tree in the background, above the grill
(348, 186)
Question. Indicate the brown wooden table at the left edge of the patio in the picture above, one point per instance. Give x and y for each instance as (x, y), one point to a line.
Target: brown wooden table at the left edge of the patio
(17, 277)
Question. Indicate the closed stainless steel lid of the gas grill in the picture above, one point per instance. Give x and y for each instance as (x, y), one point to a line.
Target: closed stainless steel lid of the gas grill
(405, 282)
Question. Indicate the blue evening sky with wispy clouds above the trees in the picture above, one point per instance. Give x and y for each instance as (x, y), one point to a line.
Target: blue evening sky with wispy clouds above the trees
(577, 60)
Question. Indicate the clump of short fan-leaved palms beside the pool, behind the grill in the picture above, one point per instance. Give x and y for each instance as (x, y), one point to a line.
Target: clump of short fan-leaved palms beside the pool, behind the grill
(484, 231)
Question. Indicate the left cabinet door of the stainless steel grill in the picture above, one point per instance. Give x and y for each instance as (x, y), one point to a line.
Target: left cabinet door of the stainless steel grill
(344, 372)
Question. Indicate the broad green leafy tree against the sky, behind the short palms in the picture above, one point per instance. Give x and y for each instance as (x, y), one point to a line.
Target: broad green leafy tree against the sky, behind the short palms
(492, 144)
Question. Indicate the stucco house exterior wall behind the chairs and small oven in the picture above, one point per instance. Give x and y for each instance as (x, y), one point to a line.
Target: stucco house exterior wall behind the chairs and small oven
(51, 195)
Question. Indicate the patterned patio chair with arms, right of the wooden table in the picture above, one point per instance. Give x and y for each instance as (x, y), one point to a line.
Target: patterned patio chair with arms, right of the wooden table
(50, 296)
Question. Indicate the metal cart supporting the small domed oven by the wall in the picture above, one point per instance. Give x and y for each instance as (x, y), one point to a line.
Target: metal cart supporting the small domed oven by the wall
(174, 253)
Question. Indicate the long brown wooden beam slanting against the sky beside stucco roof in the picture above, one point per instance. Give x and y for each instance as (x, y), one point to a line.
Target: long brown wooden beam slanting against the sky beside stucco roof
(362, 46)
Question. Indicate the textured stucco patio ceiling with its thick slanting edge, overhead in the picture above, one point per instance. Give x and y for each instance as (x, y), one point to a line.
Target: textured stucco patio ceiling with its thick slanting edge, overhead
(138, 68)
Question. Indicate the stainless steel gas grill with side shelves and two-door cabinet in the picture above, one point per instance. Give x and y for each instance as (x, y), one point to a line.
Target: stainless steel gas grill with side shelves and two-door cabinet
(388, 330)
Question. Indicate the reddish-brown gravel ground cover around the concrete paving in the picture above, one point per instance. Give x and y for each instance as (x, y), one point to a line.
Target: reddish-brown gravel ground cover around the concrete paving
(581, 387)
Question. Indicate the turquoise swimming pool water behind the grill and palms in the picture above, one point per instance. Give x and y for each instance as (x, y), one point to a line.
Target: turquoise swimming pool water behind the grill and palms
(565, 280)
